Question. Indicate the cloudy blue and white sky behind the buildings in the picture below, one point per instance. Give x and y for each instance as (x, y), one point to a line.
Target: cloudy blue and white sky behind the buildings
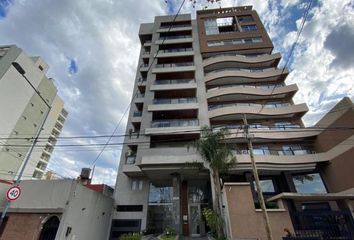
(92, 48)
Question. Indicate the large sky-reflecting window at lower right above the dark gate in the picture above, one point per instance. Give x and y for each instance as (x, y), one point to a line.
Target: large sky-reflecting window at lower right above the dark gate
(309, 183)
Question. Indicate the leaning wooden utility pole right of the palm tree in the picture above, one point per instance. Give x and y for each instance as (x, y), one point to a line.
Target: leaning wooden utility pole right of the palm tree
(256, 179)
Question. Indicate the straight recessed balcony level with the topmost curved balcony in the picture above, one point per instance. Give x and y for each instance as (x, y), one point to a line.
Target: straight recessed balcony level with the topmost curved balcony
(174, 64)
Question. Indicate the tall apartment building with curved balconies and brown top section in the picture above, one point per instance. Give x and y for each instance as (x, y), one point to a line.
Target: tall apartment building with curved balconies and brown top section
(213, 71)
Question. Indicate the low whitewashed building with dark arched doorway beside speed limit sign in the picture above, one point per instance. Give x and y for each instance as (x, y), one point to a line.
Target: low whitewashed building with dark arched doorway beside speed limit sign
(57, 210)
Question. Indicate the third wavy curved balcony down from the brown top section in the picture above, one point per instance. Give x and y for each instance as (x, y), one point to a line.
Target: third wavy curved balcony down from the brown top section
(248, 92)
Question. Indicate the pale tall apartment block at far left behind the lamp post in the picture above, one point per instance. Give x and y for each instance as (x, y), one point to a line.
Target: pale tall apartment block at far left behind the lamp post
(22, 111)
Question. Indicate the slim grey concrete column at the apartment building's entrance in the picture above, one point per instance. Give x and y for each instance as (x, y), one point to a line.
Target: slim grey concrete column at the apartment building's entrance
(176, 203)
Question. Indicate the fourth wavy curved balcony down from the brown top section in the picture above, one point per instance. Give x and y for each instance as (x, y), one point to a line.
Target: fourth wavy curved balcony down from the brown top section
(255, 111)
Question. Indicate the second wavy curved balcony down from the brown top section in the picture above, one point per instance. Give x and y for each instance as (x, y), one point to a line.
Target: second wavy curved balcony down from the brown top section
(242, 76)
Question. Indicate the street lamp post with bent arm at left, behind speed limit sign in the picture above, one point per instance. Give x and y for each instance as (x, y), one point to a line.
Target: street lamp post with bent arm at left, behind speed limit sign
(21, 71)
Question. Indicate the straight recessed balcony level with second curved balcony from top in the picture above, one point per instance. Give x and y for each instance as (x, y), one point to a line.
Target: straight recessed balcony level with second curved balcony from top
(174, 81)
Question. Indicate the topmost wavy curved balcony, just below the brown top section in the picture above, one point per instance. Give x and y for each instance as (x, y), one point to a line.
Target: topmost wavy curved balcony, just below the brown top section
(234, 60)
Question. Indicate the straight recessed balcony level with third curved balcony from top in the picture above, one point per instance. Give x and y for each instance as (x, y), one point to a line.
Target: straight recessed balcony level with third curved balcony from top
(174, 100)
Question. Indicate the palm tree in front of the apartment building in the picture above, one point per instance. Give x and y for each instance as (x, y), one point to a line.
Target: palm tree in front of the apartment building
(218, 155)
